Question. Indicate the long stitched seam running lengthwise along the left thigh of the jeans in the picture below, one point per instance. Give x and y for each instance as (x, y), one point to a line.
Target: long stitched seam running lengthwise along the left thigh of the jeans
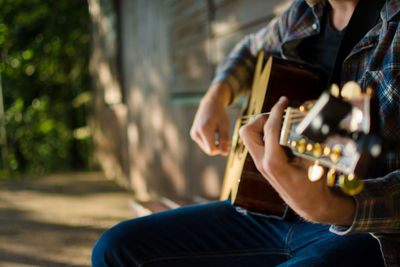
(216, 255)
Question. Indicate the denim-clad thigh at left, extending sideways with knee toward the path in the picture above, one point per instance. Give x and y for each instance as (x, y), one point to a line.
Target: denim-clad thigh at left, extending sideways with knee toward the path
(212, 234)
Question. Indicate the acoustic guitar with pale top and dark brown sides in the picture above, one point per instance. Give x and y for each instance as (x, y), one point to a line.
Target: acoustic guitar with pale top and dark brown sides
(321, 128)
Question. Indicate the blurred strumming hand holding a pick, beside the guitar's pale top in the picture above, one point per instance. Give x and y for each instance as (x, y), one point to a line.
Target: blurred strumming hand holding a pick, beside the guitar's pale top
(210, 129)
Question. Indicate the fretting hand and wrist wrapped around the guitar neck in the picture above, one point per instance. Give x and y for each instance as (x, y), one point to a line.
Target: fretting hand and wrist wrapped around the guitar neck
(313, 201)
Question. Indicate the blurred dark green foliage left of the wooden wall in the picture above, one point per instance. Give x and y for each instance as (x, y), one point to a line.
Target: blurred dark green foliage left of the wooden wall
(44, 49)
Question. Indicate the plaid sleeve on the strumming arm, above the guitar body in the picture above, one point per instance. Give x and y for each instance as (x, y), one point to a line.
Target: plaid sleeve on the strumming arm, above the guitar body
(238, 67)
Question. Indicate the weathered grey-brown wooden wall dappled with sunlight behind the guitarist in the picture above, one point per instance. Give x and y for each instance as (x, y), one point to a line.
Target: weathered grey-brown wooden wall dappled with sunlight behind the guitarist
(159, 62)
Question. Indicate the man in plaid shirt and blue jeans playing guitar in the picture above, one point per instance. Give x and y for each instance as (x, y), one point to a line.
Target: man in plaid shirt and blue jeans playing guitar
(324, 229)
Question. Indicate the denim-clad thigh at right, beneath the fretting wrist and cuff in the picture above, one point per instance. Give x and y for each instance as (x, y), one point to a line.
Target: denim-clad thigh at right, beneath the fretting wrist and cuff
(313, 245)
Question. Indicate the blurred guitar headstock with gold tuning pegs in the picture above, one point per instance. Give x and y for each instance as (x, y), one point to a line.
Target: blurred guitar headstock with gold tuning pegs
(335, 134)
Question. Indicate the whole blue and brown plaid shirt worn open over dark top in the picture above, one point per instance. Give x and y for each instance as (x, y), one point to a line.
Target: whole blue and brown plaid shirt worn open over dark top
(374, 60)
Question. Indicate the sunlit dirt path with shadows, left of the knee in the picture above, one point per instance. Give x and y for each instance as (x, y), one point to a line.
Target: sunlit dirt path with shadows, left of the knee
(55, 220)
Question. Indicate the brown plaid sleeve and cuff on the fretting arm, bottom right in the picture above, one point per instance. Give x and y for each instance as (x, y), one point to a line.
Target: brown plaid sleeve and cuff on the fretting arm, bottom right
(378, 213)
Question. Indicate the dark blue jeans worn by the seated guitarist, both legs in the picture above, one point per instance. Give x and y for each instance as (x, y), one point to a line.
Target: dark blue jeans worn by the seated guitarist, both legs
(216, 234)
